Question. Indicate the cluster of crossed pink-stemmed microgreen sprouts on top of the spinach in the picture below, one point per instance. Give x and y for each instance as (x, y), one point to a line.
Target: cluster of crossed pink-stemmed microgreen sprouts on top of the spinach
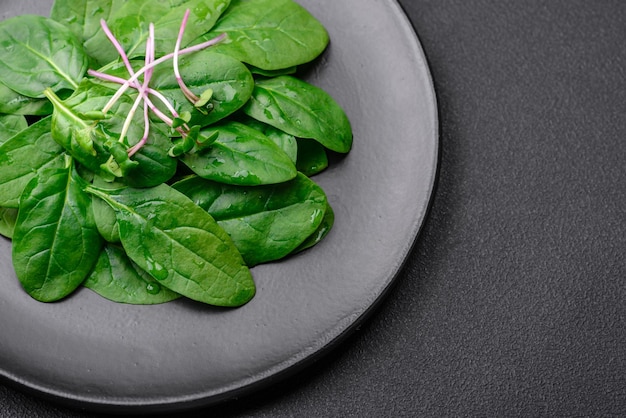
(177, 122)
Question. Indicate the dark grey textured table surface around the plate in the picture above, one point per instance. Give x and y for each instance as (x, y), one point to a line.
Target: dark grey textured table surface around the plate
(513, 300)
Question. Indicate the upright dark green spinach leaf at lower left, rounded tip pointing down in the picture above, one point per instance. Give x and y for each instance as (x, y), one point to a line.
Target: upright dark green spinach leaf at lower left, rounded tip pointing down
(55, 241)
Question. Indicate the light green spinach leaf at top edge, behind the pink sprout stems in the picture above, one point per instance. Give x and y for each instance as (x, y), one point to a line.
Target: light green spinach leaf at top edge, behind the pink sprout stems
(129, 21)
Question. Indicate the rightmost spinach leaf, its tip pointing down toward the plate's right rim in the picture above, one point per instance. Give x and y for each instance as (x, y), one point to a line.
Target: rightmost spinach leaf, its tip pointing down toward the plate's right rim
(302, 110)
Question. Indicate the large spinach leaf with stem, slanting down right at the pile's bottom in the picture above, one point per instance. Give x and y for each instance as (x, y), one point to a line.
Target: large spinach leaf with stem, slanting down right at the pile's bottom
(182, 247)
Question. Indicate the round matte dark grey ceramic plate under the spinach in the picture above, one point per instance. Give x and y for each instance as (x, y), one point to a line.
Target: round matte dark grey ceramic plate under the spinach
(111, 357)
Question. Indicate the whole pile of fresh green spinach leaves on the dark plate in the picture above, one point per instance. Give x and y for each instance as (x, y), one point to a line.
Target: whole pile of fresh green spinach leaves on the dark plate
(182, 198)
